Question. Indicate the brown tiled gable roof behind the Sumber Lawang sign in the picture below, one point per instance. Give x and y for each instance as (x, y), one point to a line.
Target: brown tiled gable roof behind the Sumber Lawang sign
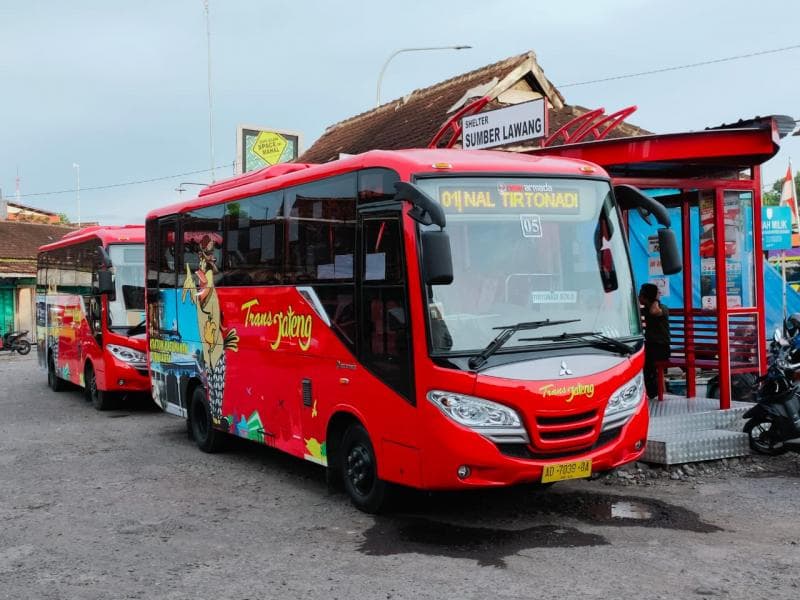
(412, 121)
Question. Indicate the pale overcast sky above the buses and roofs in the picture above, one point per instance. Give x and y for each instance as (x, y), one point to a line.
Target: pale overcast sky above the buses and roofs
(120, 88)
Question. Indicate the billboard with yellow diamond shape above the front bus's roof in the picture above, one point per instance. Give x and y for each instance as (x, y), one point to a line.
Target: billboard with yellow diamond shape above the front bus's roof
(258, 147)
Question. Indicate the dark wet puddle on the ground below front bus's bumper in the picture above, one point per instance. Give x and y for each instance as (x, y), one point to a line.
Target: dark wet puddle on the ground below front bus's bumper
(485, 526)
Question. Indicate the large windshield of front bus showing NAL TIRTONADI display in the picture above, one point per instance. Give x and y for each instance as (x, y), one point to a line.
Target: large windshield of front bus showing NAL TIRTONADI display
(530, 249)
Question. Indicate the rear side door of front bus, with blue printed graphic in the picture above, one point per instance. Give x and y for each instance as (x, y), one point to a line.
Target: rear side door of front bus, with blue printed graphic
(167, 362)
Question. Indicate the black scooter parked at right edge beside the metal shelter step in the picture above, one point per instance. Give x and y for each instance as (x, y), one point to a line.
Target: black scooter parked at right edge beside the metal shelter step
(773, 425)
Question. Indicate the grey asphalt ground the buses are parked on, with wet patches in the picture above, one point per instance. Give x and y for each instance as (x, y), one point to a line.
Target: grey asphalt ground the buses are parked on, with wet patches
(122, 505)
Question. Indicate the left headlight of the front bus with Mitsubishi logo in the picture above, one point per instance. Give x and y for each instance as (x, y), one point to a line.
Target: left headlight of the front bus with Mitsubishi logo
(497, 422)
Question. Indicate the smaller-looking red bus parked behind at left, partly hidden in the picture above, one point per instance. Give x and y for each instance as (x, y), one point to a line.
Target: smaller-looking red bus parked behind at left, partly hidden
(90, 312)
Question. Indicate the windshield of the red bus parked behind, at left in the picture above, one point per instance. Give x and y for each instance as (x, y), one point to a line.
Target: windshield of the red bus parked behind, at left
(127, 308)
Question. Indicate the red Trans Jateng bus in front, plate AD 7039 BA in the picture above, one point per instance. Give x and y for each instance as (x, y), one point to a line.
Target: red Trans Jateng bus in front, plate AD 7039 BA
(439, 319)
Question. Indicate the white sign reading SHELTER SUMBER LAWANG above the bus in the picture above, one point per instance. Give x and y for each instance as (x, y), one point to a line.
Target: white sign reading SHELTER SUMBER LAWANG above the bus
(518, 123)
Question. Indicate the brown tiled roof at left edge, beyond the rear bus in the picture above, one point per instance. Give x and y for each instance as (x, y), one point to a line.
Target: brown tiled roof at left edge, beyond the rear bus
(19, 243)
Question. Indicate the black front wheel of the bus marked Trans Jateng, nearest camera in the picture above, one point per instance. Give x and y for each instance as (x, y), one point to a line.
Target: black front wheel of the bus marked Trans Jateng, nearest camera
(360, 470)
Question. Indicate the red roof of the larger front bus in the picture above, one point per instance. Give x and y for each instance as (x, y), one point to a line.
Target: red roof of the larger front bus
(405, 162)
